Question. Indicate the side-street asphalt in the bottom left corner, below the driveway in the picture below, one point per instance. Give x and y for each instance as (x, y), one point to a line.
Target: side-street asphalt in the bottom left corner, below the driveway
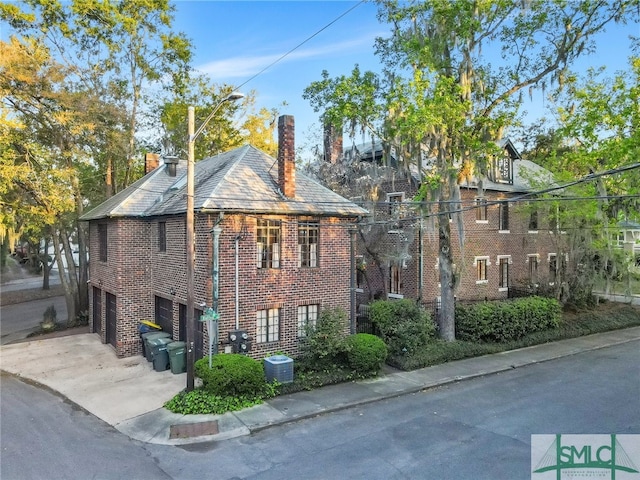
(45, 437)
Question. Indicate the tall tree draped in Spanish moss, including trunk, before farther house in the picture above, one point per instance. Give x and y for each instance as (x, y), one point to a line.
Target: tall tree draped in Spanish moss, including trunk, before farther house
(454, 78)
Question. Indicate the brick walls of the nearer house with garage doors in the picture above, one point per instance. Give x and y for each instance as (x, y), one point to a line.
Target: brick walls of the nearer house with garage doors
(136, 272)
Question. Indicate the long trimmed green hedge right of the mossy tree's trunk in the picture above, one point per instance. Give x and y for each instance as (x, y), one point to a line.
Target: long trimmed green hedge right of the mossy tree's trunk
(502, 321)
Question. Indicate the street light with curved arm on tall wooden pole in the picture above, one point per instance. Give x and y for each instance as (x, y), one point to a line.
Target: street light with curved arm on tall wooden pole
(190, 228)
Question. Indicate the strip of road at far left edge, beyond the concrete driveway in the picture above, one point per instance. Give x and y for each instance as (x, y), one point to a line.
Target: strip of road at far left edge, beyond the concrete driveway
(17, 321)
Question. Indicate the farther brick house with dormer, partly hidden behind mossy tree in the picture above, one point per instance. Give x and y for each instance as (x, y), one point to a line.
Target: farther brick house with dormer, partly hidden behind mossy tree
(509, 238)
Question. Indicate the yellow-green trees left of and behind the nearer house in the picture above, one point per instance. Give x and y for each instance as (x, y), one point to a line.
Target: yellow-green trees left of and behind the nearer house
(88, 87)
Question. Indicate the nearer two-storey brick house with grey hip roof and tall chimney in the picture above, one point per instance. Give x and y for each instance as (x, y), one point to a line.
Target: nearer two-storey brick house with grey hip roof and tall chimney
(284, 250)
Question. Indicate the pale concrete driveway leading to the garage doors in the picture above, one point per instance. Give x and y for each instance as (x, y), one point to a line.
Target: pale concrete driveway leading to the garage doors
(88, 372)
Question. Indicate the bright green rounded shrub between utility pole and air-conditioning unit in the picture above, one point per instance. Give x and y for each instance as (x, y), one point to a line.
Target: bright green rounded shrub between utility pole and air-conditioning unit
(232, 375)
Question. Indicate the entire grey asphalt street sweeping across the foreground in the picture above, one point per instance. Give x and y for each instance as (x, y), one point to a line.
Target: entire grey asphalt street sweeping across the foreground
(476, 429)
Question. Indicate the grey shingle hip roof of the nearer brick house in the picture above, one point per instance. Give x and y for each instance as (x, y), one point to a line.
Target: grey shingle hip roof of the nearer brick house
(243, 180)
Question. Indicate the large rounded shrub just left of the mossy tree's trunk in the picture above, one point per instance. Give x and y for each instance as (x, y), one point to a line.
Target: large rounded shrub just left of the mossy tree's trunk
(403, 324)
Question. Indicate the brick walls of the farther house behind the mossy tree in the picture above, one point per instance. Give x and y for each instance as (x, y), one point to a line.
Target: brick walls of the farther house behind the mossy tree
(481, 238)
